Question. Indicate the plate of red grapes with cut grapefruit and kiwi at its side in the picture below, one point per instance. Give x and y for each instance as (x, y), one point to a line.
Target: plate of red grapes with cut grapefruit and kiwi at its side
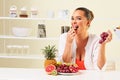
(62, 69)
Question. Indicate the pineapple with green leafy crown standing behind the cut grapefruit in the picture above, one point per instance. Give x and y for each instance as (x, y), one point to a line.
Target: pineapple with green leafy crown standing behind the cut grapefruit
(50, 54)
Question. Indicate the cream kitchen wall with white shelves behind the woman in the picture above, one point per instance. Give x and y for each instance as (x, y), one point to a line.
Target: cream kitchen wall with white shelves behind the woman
(54, 14)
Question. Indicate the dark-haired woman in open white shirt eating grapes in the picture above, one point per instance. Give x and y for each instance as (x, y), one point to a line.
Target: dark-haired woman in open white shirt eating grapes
(80, 47)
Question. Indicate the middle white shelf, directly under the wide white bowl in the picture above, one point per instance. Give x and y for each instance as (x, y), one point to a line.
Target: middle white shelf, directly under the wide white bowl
(31, 38)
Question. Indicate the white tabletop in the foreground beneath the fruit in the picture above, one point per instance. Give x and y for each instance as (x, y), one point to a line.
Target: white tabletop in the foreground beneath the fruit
(40, 74)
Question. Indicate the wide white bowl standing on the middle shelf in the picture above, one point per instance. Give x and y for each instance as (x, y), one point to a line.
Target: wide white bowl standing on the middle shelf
(21, 31)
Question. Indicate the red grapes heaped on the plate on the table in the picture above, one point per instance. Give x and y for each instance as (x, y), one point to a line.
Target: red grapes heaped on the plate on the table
(64, 68)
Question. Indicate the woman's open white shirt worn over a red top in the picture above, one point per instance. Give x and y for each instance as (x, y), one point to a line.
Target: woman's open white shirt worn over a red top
(91, 50)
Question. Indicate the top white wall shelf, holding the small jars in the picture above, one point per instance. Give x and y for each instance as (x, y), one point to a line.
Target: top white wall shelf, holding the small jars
(18, 18)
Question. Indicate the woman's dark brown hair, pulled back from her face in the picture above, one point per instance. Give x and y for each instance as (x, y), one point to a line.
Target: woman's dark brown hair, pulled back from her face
(88, 14)
